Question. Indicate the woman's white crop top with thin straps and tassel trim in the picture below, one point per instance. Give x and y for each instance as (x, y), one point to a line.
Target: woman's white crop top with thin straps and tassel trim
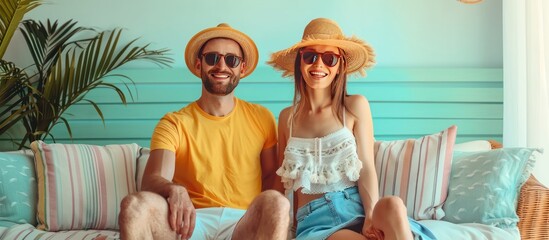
(320, 165)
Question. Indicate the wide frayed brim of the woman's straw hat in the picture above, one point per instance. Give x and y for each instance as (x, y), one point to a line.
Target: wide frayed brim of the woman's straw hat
(358, 54)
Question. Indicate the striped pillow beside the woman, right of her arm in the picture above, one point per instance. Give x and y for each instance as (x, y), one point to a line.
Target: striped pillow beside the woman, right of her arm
(418, 171)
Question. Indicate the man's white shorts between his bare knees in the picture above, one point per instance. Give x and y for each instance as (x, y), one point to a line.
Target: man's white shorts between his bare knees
(216, 223)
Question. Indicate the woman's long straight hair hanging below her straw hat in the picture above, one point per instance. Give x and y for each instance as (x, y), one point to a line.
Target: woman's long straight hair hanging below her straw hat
(338, 88)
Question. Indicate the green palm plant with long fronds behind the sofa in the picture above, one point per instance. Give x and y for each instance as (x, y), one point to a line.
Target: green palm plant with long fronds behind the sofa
(68, 62)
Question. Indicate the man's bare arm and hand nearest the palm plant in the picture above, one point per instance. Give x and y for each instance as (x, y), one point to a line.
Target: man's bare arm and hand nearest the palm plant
(157, 178)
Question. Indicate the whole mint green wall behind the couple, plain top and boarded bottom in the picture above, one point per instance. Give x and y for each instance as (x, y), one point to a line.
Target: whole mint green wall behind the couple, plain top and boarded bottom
(439, 62)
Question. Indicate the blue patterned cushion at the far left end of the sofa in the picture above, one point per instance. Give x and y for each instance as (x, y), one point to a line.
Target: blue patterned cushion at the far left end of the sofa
(17, 188)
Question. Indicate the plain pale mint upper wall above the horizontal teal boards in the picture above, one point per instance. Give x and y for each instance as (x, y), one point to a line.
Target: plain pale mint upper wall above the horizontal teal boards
(421, 33)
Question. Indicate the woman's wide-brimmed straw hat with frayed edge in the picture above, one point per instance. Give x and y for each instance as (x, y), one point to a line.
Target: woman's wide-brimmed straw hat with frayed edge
(323, 31)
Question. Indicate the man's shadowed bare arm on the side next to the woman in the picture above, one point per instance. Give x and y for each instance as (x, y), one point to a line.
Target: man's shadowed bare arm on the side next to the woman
(269, 165)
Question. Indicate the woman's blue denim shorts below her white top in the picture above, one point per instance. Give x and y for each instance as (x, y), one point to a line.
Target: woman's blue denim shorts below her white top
(323, 216)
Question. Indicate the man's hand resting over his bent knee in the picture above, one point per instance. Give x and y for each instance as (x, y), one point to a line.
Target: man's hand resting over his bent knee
(182, 214)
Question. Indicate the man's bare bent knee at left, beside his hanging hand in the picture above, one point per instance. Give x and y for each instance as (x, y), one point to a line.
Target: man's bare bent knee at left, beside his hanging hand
(144, 215)
